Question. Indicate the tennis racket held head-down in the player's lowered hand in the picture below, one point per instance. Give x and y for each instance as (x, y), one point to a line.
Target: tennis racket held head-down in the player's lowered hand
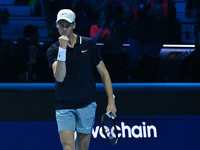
(109, 128)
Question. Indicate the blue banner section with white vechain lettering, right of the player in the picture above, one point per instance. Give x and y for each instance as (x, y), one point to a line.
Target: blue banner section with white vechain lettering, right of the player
(151, 133)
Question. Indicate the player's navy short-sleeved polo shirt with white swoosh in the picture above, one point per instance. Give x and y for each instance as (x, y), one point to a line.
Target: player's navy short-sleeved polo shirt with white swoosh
(78, 88)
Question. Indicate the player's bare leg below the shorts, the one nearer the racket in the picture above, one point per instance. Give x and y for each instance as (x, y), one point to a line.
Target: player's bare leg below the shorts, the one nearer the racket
(83, 141)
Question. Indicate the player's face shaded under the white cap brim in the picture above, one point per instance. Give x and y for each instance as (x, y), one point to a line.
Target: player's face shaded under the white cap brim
(65, 28)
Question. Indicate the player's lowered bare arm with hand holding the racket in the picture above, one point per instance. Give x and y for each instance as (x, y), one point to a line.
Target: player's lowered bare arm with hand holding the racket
(108, 87)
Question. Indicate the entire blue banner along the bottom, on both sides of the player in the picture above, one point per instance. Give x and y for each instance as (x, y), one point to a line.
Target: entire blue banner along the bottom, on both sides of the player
(135, 133)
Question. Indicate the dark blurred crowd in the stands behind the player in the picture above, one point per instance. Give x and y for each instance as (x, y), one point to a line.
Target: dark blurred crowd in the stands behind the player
(126, 32)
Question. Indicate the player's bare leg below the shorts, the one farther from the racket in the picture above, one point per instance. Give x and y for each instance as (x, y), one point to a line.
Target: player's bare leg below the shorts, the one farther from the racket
(67, 139)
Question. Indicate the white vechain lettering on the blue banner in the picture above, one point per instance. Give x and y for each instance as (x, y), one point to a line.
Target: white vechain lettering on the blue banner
(126, 131)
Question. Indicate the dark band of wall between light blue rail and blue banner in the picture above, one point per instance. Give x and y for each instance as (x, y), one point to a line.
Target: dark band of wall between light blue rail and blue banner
(39, 106)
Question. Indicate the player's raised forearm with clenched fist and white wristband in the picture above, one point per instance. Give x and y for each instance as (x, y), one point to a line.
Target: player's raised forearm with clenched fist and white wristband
(59, 66)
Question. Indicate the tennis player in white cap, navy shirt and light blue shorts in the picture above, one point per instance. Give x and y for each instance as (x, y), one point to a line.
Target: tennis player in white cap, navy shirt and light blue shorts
(72, 60)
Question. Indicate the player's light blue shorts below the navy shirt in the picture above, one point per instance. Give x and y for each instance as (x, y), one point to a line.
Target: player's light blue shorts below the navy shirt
(80, 120)
